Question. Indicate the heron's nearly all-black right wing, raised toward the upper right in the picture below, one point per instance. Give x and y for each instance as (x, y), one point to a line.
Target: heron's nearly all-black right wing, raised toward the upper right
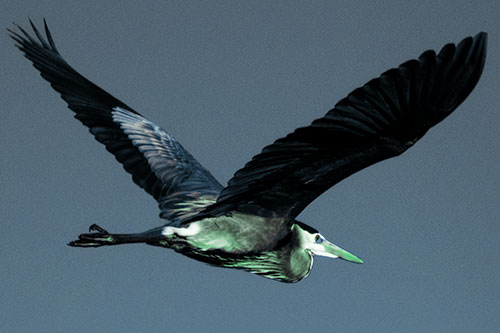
(382, 119)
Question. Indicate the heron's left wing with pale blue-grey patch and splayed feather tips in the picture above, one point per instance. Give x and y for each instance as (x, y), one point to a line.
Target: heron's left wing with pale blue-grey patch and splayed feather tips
(156, 161)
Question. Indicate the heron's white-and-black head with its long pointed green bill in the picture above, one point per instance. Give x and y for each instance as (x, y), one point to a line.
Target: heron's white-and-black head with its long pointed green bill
(311, 240)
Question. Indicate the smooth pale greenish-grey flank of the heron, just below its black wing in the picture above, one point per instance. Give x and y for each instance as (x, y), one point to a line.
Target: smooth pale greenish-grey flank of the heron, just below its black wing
(237, 233)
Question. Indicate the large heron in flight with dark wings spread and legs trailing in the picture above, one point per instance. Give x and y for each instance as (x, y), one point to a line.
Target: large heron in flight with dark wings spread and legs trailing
(250, 224)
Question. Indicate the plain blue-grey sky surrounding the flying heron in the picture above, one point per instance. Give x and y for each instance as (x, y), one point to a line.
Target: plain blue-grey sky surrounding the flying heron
(227, 78)
